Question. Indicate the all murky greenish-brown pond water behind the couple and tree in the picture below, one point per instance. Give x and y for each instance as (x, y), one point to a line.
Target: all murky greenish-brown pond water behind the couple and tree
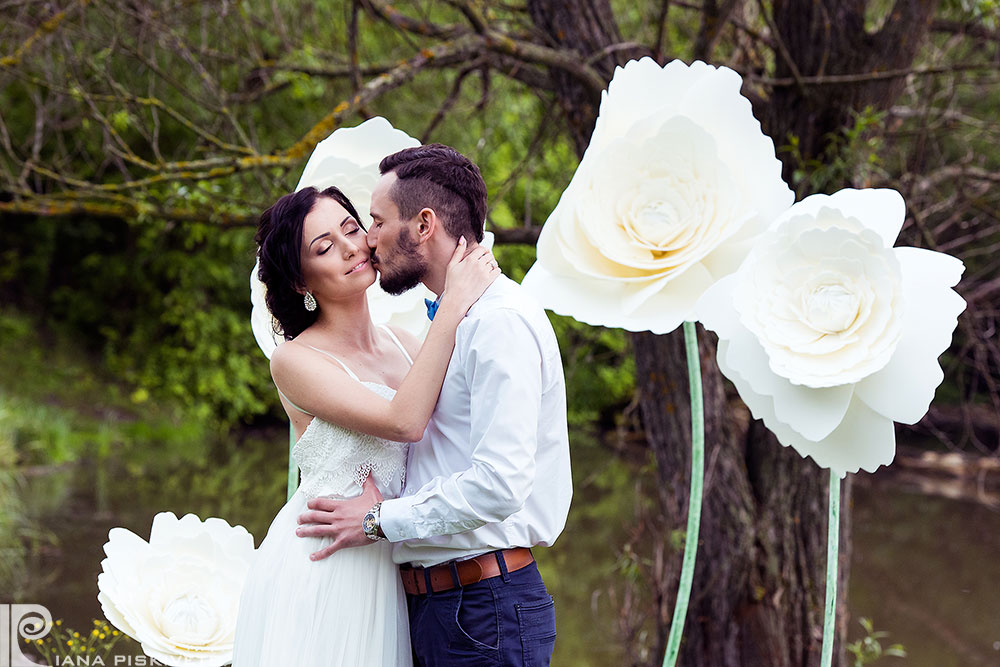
(925, 569)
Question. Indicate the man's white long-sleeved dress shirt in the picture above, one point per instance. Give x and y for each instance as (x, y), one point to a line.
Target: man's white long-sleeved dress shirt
(492, 470)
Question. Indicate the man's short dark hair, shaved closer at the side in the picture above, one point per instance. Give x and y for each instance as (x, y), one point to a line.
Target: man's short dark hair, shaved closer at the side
(438, 177)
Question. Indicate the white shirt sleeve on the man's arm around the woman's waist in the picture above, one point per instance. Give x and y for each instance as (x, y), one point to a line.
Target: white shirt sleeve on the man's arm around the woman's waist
(502, 363)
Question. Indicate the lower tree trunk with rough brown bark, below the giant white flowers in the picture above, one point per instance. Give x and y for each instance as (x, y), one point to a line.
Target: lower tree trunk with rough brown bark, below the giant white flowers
(759, 584)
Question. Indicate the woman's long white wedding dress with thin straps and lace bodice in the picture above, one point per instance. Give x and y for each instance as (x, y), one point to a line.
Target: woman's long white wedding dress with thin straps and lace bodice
(348, 609)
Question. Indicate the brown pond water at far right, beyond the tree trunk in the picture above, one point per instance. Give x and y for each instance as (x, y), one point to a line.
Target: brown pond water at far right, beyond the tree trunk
(926, 569)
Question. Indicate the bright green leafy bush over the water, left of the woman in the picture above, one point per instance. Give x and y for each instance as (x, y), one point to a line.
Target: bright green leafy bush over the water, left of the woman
(189, 338)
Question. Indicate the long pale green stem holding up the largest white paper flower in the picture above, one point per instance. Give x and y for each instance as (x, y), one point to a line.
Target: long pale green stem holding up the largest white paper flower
(694, 503)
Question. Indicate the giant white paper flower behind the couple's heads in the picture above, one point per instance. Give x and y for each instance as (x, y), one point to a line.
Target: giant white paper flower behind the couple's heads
(349, 159)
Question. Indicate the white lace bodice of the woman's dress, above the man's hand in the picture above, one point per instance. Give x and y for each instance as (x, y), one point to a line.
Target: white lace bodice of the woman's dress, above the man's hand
(335, 460)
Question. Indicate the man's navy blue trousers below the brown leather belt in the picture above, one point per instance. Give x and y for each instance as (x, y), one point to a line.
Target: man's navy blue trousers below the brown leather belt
(504, 620)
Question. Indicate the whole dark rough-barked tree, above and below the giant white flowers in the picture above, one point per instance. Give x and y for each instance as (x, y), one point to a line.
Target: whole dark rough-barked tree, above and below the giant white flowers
(759, 585)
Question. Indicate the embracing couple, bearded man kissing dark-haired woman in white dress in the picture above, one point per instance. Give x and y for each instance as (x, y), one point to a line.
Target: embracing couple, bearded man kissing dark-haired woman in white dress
(428, 471)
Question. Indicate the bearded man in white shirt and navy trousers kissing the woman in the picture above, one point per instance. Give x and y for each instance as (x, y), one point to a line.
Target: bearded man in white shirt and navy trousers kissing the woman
(491, 475)
